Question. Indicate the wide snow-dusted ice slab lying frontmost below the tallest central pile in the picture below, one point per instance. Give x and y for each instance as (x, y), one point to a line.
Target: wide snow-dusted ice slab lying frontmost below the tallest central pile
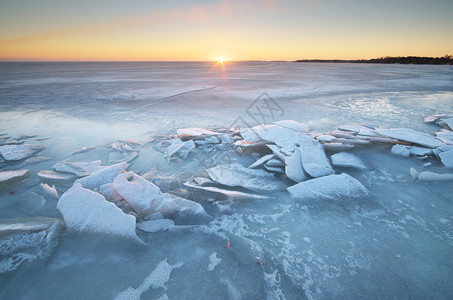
(328, 187)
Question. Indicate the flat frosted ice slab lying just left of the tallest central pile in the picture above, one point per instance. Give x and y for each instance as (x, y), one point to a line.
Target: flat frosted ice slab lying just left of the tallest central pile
(236, 175)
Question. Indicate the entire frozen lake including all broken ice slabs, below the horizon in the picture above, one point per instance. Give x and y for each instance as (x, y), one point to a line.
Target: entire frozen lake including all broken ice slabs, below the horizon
(185, 181)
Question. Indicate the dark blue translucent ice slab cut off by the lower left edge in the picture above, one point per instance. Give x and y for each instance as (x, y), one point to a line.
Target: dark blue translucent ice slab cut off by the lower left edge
(28, 239)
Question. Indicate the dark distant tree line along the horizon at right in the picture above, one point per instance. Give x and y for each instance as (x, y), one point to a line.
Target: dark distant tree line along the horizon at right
(417, 60)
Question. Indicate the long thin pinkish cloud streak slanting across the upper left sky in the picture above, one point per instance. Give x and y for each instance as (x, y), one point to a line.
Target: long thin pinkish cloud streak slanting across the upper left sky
(189, 14)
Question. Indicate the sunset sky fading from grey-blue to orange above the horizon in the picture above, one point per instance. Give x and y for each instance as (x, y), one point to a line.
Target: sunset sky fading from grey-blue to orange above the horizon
(186, 30)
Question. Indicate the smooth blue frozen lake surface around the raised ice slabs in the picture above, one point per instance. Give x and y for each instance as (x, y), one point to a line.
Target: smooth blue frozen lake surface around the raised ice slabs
(395, 242)
